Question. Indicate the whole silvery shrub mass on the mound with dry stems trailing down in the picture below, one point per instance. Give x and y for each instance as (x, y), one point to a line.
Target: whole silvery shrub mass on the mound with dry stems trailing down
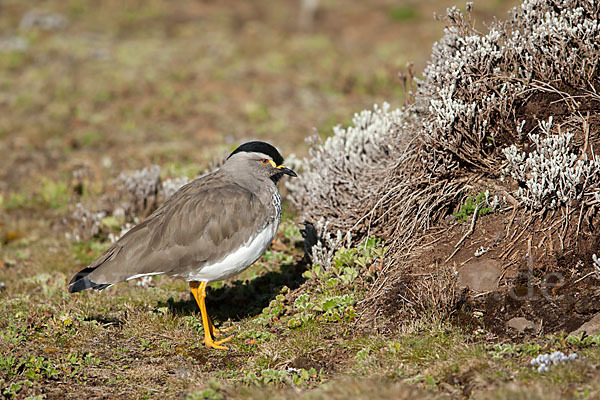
(481, 110)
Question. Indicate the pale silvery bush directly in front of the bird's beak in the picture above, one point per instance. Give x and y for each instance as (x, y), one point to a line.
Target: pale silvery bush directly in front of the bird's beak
(345, 172)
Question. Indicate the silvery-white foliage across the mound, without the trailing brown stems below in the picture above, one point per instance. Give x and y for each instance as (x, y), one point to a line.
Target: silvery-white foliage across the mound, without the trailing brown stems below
(465, 110)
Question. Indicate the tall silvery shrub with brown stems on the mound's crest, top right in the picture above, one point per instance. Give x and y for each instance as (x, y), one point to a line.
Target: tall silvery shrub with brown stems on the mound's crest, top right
(472, 89)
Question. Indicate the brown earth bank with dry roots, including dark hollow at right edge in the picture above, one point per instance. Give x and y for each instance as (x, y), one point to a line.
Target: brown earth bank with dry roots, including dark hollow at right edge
(517, 273)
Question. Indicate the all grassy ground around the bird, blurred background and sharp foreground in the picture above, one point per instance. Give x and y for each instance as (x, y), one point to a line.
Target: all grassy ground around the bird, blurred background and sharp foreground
(177, 85)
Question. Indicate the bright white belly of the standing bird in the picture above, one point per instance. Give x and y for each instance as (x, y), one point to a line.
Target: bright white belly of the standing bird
(237, 261)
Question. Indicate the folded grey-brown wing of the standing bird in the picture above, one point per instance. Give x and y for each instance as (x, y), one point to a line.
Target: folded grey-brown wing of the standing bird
(199, 224)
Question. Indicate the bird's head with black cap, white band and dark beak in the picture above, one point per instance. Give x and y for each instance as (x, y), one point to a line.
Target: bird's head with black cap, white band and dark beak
(259, 160)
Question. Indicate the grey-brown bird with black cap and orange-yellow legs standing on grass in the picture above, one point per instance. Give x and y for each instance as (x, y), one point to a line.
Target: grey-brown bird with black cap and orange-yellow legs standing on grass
(209, 230)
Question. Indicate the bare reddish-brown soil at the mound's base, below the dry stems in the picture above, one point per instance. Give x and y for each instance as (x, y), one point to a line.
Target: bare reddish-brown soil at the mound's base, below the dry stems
(550, 287)
